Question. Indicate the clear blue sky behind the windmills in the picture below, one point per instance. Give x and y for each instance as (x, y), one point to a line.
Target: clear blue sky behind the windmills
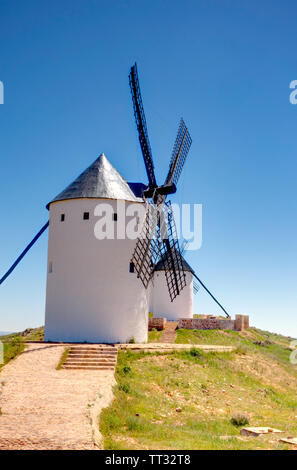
(224, 65)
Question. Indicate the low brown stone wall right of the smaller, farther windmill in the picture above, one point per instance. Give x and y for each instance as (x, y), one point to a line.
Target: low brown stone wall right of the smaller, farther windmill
(215, 323)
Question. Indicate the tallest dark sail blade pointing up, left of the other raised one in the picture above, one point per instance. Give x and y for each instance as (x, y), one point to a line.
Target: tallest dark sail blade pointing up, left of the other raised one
(141, 126)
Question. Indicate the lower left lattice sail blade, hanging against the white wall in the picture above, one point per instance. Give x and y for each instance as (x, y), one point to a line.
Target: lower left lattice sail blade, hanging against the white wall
(147, 250)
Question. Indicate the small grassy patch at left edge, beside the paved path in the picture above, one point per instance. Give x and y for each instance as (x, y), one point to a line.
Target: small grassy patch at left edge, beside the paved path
(14, 343)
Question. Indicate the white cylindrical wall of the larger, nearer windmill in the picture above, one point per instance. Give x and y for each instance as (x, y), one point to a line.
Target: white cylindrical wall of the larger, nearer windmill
(91, 295)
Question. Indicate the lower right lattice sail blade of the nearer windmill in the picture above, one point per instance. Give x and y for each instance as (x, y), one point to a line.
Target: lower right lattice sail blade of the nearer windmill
(171, 255)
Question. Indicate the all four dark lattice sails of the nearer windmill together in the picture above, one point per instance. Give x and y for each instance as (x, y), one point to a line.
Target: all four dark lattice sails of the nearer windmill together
(158, 238)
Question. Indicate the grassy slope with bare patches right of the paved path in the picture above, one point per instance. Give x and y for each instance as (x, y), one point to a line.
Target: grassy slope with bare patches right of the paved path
(186, 400)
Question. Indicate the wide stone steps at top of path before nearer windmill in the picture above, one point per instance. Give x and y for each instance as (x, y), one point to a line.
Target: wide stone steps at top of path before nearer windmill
(91, 357)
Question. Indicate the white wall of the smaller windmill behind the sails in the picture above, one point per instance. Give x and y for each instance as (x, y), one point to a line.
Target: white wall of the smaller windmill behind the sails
(161, 305)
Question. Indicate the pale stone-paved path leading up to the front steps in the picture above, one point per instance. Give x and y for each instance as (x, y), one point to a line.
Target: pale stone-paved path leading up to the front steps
(45, 408)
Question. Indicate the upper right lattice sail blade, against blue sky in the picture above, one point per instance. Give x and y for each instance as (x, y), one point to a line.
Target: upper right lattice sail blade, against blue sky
(180, 152)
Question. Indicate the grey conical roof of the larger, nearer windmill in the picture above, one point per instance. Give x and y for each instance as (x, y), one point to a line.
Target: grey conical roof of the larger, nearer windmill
(100, 180)
